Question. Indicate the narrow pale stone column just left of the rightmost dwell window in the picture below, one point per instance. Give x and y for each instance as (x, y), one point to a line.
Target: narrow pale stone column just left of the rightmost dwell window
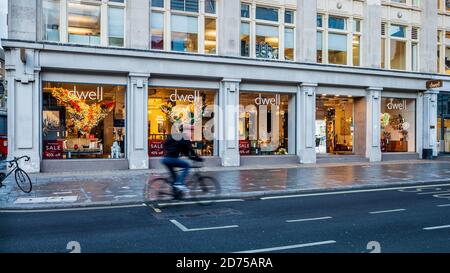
(373, 133)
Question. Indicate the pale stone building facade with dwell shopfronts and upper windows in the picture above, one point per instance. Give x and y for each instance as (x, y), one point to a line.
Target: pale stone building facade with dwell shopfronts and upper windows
(98, 84)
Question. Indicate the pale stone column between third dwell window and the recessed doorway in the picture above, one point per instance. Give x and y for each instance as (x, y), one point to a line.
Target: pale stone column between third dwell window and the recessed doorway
(306, 122)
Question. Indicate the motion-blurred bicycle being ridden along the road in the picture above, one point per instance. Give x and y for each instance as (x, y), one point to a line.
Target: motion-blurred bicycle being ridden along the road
(202, 189)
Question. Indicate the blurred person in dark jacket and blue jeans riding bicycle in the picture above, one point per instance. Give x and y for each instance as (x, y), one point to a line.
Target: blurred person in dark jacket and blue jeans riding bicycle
(177, 145)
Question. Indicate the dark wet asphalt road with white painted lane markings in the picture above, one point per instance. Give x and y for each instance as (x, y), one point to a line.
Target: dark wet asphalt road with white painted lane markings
(401, 219)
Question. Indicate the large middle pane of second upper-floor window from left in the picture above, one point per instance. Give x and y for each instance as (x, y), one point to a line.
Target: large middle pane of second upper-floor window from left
(184, 33)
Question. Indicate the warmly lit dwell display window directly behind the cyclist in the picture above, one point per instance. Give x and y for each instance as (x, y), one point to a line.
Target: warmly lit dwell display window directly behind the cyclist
(170, 108)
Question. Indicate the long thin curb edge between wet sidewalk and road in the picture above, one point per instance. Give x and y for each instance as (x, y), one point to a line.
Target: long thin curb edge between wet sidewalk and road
(241, 195)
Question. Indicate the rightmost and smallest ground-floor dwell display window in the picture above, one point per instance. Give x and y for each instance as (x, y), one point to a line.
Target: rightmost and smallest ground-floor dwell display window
(398, 124)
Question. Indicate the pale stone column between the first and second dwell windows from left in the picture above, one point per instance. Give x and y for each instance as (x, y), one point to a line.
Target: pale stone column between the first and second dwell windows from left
(137, 121)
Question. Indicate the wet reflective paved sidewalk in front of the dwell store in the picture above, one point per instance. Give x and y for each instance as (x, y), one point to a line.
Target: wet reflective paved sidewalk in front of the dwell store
(62, 190)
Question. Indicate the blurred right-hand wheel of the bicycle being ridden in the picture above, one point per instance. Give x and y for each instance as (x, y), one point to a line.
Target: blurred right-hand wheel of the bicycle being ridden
(205, 189)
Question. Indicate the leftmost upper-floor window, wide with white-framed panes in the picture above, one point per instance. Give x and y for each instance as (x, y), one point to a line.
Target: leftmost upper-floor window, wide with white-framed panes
(85, 24)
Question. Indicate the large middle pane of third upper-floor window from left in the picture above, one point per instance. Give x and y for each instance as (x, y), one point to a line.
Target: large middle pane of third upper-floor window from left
(267, 42)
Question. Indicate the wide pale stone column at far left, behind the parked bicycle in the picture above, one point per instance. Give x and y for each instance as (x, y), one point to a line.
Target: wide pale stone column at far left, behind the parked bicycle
(24, 107)
